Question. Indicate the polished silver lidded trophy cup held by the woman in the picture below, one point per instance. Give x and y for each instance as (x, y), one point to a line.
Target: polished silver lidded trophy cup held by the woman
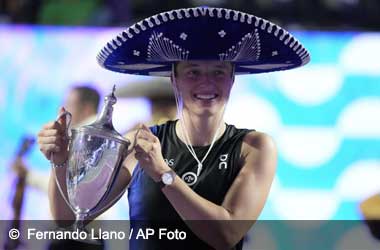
(95, 157)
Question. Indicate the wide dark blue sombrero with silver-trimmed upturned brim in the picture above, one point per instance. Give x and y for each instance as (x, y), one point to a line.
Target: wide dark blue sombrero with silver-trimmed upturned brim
(253, 44)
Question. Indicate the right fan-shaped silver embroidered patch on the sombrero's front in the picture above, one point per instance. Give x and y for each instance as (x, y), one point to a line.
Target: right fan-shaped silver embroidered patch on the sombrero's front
(247, 49)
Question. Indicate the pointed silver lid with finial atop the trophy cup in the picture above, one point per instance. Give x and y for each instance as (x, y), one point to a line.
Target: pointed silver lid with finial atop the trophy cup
(103, 125)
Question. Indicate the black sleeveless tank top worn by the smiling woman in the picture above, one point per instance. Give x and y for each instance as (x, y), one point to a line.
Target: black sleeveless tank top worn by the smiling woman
(149, 208)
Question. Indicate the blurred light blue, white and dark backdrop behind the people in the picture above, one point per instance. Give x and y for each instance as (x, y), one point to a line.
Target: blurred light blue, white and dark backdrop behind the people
(325, 117)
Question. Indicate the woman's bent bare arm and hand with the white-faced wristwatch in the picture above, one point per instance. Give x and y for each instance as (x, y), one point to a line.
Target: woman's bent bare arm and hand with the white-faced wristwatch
(245, 199)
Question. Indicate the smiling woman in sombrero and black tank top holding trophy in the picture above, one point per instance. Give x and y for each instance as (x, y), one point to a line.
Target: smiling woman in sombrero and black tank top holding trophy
(196, 170)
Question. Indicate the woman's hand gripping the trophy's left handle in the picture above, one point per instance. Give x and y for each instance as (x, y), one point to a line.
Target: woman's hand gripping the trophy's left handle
(52, 139)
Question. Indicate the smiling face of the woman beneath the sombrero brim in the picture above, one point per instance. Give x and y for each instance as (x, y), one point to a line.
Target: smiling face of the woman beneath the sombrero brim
(204, 85)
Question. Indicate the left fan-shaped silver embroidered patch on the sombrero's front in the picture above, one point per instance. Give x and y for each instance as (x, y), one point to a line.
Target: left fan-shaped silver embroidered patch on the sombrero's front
(161, 48)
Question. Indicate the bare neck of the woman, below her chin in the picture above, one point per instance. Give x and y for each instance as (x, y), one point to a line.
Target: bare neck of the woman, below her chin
(200, 130)
